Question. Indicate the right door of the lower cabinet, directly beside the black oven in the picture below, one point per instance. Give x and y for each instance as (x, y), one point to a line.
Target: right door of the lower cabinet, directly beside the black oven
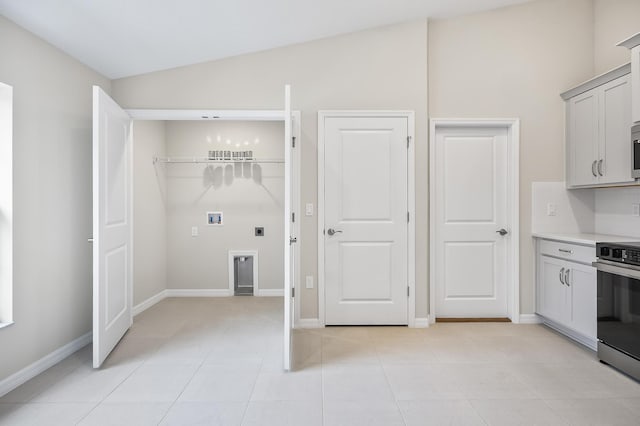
(582, 288)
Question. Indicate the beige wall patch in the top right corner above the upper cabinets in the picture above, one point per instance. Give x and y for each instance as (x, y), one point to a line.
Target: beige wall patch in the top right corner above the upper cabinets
(615, 20)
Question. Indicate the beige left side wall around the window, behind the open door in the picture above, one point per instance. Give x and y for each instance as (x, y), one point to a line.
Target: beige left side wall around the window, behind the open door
(52, 197)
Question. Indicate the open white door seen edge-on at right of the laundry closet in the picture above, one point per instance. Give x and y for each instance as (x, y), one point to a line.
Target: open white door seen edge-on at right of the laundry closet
(289, 238)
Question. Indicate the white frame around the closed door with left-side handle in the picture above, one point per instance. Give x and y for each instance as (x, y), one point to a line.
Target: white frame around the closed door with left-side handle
(411, 203)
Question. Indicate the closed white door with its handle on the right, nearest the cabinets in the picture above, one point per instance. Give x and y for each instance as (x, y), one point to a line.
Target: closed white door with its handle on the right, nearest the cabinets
(470, 215)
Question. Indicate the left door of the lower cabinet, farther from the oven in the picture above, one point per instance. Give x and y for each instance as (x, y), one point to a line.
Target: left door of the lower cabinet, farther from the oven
(552, 293)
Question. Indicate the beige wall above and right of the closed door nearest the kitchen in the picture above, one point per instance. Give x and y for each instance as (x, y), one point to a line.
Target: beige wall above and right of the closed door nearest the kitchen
(514, 62)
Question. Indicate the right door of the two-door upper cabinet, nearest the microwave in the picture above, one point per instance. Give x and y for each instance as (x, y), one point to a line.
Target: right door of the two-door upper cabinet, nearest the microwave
(614, 162)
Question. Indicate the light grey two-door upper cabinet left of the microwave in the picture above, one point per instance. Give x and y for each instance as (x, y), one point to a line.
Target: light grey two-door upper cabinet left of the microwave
(598, 150)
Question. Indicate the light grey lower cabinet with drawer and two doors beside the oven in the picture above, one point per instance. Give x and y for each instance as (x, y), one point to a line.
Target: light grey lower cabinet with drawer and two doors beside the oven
(566, 295)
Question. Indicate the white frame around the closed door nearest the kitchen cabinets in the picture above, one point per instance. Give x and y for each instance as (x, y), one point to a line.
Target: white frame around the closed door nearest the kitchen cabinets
(512, 125)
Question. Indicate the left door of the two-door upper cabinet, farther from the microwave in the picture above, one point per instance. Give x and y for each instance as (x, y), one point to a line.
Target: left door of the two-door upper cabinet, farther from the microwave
(583, 139)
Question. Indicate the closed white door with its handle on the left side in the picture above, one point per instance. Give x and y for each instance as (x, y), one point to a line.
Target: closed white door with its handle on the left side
(365, 220)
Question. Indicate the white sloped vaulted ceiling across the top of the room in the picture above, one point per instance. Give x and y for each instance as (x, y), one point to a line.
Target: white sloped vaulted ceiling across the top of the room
(120, 38)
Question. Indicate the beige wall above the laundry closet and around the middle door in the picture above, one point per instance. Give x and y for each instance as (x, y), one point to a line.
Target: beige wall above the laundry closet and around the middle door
(383, 68)
